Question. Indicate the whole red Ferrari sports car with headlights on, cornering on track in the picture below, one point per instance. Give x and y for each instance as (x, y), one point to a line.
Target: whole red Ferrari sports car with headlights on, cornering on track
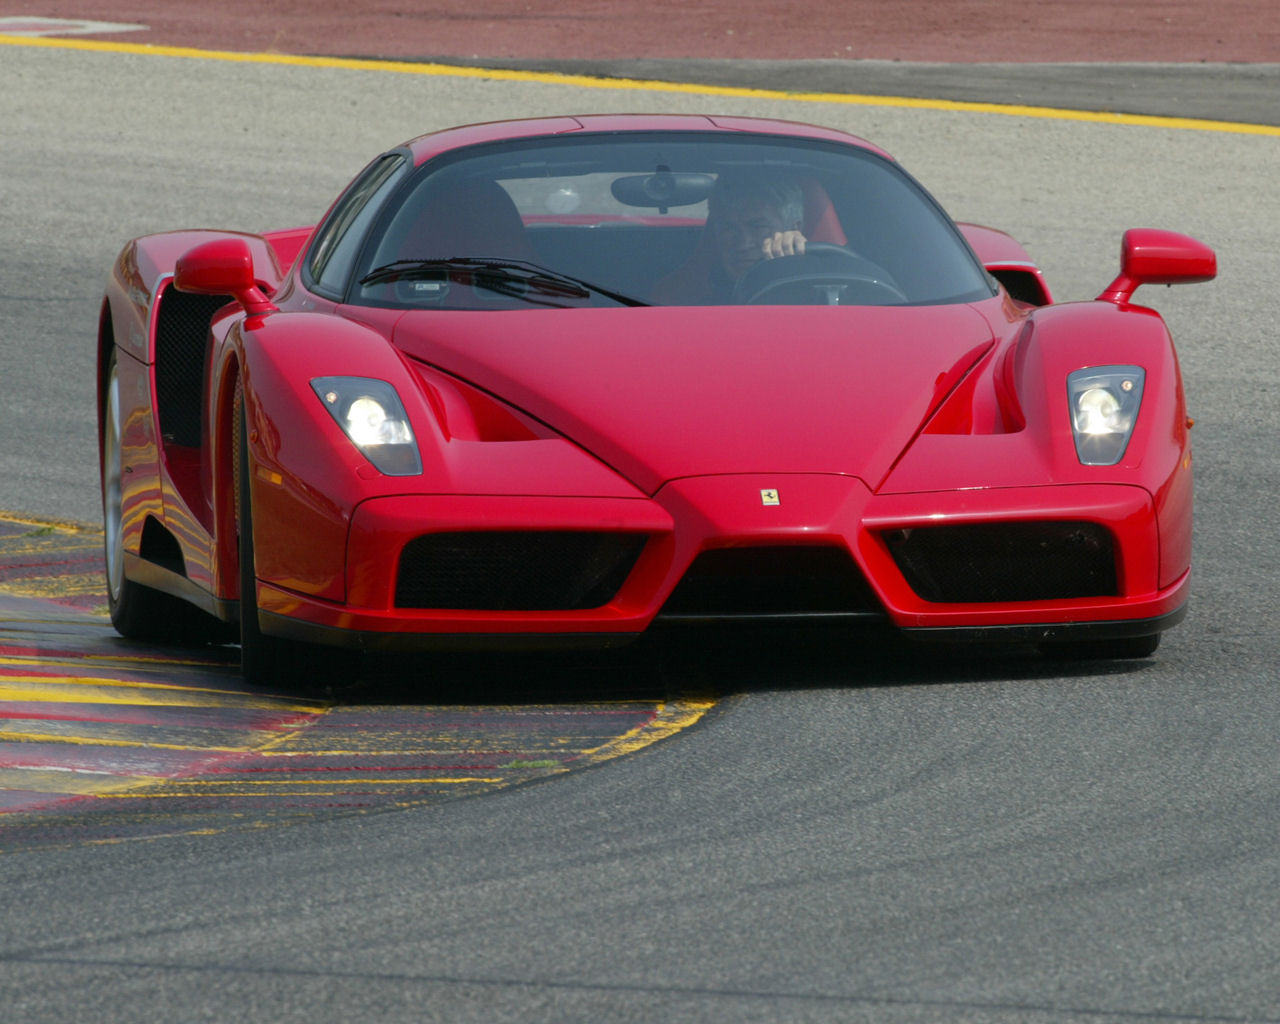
(554, 382)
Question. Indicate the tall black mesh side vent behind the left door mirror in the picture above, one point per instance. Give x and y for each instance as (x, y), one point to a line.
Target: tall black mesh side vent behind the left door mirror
(182, 330)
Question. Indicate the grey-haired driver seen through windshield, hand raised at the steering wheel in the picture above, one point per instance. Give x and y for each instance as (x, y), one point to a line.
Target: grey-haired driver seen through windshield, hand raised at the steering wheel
(751, 217)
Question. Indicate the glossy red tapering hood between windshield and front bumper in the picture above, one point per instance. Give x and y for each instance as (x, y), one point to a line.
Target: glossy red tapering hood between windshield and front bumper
(661, 394)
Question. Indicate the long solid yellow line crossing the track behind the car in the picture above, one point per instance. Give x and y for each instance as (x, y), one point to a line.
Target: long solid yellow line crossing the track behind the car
(621, 85)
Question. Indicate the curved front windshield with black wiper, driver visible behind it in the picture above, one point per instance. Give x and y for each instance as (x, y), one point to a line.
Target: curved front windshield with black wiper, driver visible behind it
(662, 218)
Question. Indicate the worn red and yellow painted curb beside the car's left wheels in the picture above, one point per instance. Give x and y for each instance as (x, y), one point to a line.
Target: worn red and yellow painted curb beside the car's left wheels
(103, 740)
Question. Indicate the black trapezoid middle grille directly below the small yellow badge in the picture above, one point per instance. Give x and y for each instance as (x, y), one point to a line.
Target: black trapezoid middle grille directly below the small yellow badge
(772, 583)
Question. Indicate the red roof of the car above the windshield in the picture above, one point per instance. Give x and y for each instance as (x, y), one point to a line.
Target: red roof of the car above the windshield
(424, 148)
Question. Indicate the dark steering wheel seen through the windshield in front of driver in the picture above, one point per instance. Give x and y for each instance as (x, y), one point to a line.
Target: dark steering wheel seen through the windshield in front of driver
(824, 276)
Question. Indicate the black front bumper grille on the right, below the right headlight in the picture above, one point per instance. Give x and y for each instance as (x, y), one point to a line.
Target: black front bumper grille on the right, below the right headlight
(1007, 561)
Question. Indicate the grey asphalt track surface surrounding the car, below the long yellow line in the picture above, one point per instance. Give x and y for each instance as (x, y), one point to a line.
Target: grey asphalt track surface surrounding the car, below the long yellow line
(853, 835)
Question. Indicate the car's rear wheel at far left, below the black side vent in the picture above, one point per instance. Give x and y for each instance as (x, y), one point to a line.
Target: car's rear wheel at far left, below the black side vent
(138, 612)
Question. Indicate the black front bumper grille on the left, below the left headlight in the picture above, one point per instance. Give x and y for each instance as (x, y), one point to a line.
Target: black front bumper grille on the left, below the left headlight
(516, 570)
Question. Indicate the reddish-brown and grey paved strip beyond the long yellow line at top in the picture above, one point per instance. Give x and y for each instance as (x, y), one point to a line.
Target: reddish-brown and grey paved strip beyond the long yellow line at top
(1174, 60)
